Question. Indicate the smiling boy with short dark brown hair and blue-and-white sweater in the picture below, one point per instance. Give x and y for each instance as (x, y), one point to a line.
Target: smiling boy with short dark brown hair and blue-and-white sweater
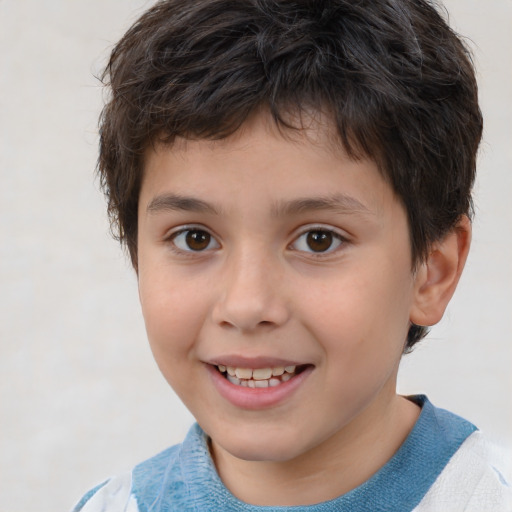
(293, 183)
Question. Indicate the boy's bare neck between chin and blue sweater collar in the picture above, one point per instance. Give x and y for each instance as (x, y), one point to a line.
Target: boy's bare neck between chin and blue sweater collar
(338, 465)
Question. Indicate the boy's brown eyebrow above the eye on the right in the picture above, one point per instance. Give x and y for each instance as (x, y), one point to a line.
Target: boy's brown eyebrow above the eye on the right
(339, 203)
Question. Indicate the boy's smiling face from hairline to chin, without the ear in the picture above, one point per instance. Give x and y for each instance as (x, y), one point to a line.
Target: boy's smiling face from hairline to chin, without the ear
(269, 251)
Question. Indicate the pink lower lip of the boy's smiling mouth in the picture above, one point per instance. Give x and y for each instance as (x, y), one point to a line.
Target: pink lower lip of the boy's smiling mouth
(256, 398)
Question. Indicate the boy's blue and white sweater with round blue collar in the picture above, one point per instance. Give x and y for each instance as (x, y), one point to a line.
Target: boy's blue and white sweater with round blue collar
(183, 478)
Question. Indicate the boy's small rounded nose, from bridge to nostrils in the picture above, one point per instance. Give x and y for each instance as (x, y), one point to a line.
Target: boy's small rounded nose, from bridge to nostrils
(251, 294)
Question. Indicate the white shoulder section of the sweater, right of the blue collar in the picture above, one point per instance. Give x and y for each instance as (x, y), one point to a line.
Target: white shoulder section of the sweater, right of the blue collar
(471, 481)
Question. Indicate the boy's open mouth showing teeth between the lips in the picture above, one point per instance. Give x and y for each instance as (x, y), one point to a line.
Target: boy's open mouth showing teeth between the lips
(260, 377)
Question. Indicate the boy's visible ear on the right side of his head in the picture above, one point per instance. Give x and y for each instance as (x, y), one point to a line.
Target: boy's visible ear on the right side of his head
(437, 277)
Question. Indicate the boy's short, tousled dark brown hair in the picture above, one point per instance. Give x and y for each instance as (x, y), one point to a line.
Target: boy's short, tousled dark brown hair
(397, 81)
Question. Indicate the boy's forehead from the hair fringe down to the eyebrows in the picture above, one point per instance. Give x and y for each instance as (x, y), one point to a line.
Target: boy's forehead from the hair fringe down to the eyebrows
(266, 162)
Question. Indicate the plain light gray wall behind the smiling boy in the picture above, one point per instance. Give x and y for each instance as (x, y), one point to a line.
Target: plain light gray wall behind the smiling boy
(81, 397)
